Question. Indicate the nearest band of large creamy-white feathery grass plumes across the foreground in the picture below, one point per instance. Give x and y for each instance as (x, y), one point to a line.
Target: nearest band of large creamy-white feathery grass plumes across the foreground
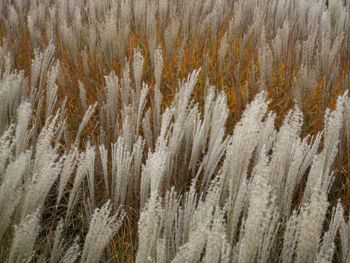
(236, 216)
